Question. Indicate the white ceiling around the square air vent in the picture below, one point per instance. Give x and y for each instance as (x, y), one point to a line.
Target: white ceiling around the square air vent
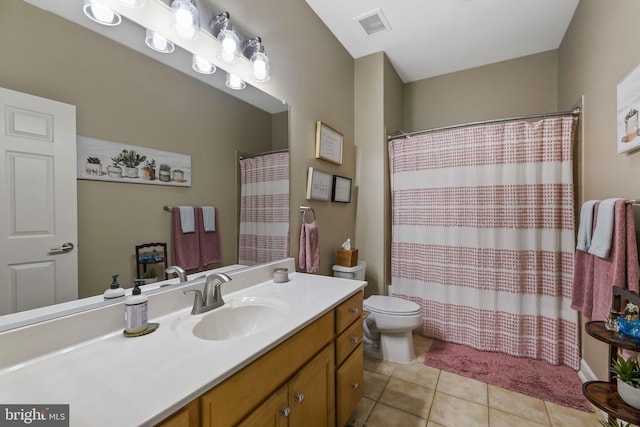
(433, 37)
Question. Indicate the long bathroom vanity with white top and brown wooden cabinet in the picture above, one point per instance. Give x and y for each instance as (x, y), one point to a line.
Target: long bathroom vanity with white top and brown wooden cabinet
(302, 363)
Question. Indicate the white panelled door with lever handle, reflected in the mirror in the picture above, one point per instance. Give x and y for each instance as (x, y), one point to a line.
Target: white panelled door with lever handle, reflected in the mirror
(38, 205)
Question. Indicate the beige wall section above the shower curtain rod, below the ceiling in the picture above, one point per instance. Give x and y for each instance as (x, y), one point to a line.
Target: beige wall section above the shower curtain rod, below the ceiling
(526, 85)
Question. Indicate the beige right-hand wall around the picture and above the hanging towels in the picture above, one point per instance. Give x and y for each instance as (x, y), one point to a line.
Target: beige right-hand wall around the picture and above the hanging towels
(599, 49)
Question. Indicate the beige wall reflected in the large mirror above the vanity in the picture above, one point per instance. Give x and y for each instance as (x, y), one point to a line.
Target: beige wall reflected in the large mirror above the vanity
(127, 97)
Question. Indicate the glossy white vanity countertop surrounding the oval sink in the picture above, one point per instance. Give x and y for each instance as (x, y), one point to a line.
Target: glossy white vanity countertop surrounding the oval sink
(116, 381)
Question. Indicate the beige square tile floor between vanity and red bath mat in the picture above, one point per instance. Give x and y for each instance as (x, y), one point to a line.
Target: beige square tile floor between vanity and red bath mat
(416, 395)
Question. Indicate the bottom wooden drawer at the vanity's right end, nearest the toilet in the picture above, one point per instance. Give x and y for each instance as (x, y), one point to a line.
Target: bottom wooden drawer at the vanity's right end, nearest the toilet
(349, 385)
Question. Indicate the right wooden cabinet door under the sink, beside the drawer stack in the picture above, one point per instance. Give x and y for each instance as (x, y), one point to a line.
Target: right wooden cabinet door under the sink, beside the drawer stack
(312, 391)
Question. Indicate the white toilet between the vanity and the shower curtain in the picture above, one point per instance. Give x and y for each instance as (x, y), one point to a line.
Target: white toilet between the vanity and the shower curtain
(387, 330)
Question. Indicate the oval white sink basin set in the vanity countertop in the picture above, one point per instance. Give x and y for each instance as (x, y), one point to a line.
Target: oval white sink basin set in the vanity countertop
(238, 318)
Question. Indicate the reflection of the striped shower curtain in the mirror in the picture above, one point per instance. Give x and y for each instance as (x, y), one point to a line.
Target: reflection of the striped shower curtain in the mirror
(264, 209)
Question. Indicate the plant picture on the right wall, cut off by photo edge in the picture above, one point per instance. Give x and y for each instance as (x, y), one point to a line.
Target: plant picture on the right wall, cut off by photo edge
(628, 104)
